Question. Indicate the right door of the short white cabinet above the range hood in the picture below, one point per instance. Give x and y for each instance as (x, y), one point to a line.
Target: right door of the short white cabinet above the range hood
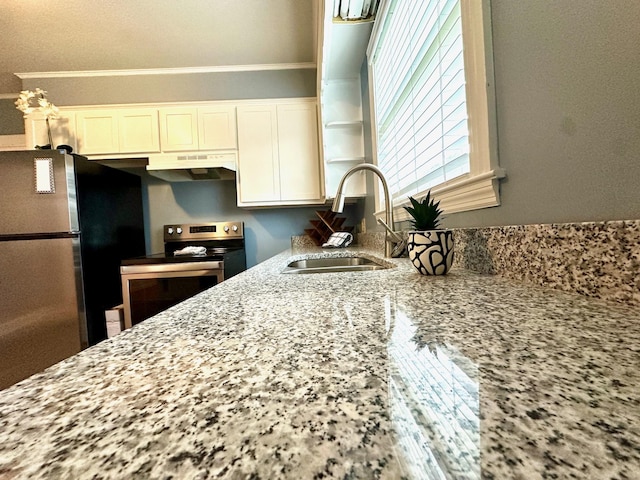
(217, 128)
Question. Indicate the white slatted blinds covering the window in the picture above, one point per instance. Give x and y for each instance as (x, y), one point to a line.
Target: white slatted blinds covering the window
(419, 96)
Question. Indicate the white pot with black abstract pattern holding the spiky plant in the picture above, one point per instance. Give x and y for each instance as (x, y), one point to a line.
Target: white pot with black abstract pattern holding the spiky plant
(431, 251)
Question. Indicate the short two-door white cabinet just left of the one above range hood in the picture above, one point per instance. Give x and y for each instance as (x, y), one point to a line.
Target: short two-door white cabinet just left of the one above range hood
(105, 131)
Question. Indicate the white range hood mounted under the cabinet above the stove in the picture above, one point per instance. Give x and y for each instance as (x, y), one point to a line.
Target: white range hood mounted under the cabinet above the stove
(184, 167)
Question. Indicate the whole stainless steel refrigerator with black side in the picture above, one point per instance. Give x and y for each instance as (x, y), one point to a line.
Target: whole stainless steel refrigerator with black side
(65, 225)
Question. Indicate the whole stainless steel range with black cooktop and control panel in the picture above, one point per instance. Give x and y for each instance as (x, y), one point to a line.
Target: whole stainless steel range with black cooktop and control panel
(195, 258)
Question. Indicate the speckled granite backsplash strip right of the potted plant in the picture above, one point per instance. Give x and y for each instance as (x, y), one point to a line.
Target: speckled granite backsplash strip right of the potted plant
(597, 259)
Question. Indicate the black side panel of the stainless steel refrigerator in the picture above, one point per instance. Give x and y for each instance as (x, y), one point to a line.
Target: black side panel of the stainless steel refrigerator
(112, 228)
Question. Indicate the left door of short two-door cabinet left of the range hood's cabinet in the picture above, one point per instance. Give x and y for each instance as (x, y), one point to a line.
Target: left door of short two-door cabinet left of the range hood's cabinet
(97, 132)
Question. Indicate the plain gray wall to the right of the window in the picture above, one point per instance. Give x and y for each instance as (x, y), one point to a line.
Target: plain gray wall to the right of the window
(568, 105)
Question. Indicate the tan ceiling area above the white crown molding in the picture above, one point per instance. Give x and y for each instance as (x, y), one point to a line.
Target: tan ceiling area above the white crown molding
(86, 35)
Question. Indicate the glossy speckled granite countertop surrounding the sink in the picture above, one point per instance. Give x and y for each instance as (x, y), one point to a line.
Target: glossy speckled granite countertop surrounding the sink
(381, 374)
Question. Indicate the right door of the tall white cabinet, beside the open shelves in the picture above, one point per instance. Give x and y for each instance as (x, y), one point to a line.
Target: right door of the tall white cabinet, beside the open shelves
(300, 174)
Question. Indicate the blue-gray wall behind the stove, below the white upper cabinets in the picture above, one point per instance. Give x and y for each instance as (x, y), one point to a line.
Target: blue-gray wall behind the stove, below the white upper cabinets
(267, 231)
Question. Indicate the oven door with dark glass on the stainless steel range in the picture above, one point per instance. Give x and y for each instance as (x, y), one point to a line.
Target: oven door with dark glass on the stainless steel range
(151, 289)
